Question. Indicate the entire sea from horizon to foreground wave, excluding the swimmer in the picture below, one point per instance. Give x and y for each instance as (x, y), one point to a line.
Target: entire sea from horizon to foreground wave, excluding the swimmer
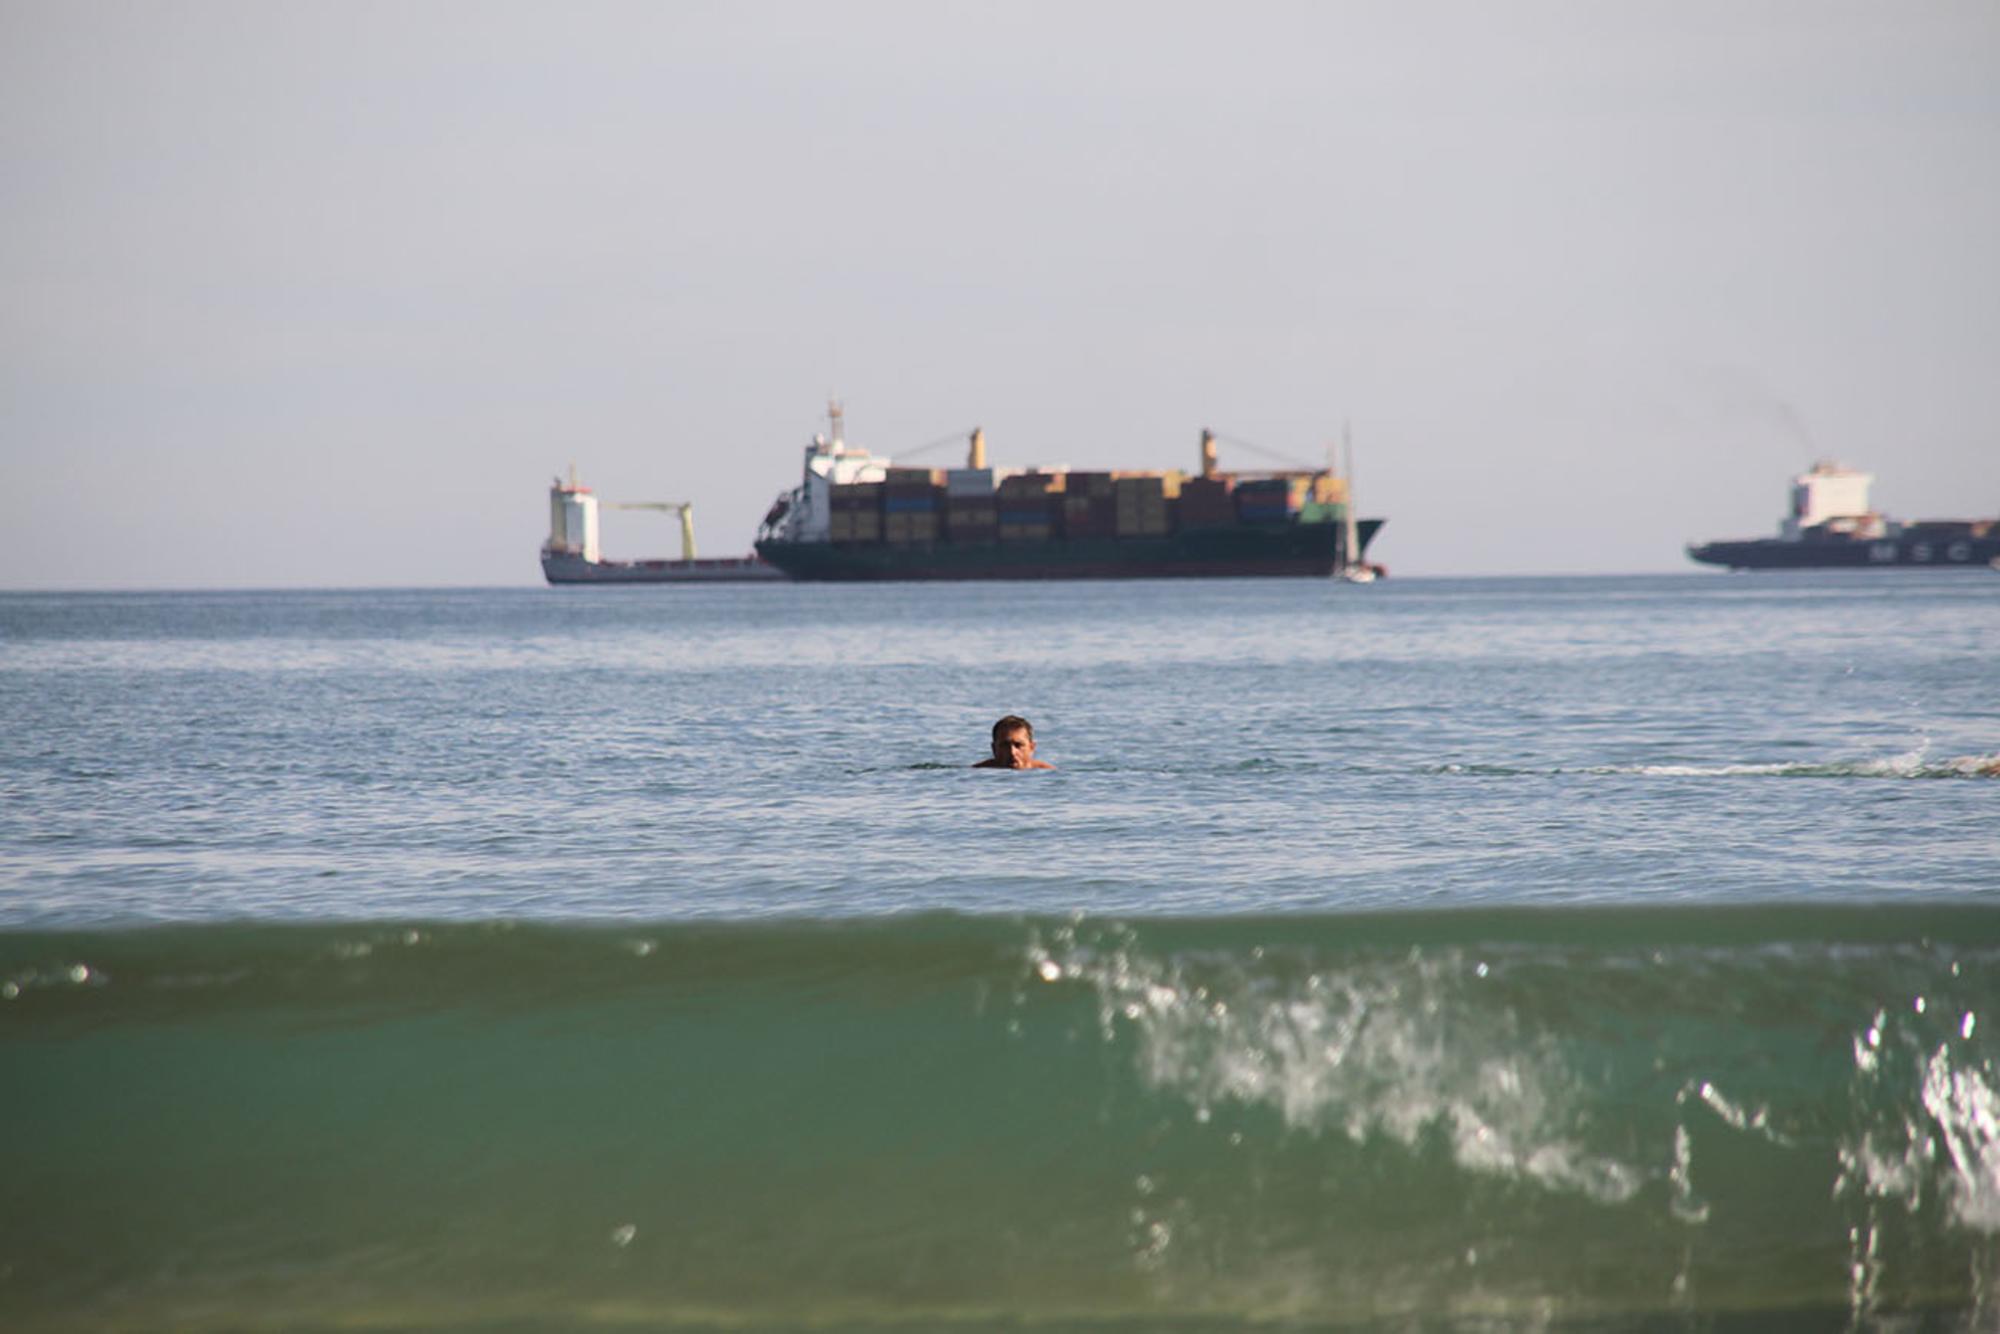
(1445, 955)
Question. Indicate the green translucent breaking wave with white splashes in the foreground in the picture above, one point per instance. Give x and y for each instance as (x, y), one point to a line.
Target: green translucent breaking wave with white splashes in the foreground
(1441, 1121)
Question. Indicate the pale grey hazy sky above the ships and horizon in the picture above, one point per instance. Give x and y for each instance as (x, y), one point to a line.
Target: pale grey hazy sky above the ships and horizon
(303, 293)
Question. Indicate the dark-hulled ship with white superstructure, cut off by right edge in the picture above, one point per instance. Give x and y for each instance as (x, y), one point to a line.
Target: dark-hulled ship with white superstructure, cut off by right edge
(1833, 527)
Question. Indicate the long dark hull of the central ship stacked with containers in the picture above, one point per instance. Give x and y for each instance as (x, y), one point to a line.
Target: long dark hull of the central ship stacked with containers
(1303, 551)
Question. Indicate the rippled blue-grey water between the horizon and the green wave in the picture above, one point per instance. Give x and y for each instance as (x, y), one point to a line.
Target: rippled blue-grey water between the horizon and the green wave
(801, 751)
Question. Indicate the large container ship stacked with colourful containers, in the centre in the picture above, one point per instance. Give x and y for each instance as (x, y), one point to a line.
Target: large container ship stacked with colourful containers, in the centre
(857, 517)
